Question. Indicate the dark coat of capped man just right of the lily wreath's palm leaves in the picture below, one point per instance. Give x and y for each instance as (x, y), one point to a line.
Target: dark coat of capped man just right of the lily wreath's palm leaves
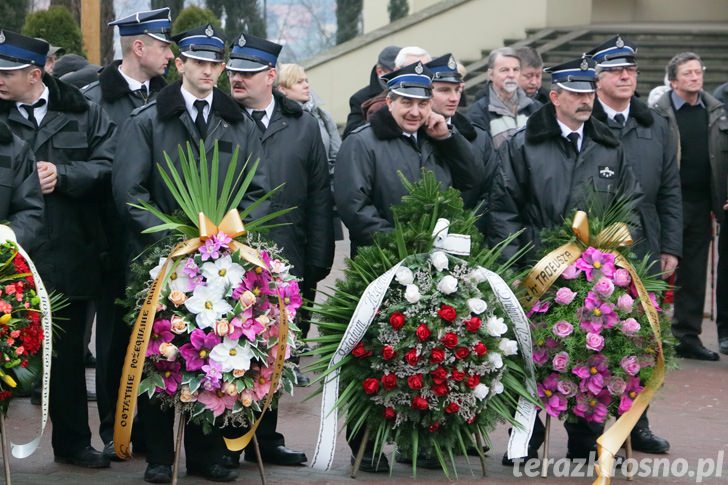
(294, 155)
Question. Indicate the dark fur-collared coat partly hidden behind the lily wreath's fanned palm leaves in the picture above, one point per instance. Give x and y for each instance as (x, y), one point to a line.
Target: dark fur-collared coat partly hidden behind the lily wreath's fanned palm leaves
(159, 128)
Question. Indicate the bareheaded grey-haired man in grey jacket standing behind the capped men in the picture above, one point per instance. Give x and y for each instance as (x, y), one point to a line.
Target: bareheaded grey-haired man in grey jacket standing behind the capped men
(504, 107)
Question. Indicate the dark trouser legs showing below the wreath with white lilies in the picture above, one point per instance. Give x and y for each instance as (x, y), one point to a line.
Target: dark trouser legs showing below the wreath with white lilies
(159, 437)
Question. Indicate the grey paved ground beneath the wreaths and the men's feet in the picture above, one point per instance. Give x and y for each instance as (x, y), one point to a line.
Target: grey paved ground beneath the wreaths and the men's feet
(689, 411)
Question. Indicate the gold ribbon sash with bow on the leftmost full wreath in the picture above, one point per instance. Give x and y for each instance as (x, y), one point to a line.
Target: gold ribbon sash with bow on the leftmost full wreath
(136, 352)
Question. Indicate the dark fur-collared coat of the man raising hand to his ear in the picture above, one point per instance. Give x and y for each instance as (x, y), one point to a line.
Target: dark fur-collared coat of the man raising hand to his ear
(366, 182)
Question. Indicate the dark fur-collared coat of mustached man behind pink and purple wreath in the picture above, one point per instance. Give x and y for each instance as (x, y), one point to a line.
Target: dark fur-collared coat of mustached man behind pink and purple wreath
(541, 179)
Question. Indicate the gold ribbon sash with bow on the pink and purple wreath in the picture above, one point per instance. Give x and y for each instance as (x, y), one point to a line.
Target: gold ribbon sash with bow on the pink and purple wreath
(547, 271)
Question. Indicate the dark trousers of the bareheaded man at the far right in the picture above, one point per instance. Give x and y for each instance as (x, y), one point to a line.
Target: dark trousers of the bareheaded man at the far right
(691, 273)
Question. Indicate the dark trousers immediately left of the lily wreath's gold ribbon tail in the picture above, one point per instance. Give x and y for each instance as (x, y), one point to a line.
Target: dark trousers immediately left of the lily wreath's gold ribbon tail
(112, 339)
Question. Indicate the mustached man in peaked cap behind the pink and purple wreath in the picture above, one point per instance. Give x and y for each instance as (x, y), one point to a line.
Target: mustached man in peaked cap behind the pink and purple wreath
(562, 158)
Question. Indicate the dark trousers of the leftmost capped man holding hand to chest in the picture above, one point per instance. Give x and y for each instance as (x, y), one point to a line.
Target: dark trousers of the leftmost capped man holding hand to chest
(68, 402)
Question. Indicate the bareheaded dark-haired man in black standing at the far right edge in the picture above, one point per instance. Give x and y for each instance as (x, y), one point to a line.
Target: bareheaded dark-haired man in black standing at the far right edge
(700, 124)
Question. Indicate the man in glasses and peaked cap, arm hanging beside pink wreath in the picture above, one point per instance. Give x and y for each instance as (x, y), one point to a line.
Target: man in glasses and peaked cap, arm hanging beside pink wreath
(651, 150)
